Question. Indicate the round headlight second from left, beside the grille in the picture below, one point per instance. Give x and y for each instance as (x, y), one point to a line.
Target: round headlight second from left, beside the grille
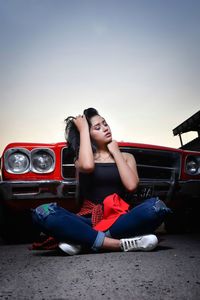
(42, 161)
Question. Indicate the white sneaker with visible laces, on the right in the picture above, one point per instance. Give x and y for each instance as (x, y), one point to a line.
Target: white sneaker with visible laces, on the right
(143, 243)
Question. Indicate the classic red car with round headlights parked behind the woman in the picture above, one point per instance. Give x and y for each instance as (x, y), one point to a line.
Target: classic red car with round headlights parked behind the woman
(33, 174)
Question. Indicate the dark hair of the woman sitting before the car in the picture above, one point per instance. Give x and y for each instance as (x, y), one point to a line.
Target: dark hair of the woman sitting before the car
(72, 134)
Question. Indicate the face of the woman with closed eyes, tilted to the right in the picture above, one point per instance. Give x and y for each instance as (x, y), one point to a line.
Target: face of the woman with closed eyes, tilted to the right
(100, 131)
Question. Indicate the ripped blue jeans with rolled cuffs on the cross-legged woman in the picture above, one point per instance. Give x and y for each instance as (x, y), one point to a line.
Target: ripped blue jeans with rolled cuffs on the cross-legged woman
(65, 226)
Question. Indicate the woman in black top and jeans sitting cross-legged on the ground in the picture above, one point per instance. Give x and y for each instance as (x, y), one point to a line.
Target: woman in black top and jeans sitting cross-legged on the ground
(105, 175)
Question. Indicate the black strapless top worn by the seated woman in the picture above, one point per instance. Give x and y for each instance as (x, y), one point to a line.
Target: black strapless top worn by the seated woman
(104, 181)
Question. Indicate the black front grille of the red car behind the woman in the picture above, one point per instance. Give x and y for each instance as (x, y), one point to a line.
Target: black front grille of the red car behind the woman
(158, 171)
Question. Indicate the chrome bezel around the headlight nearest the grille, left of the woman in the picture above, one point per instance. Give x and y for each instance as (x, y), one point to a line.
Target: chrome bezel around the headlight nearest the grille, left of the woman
(45, 151)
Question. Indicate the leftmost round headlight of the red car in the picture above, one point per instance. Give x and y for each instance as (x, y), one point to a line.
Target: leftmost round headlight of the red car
(17, 162)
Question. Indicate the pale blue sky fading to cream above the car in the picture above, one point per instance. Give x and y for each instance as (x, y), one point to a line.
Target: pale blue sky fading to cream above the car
(136, 61)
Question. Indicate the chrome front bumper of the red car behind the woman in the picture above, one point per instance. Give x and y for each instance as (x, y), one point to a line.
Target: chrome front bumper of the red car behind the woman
(58, 189)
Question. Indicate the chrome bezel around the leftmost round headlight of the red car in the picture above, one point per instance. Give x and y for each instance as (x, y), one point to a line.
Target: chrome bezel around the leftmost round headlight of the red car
(15, 151)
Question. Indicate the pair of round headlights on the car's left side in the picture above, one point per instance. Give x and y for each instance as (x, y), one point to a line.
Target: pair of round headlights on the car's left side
(20, 160)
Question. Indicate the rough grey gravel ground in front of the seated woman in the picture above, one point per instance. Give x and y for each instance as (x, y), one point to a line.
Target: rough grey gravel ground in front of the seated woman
(172, 271)
